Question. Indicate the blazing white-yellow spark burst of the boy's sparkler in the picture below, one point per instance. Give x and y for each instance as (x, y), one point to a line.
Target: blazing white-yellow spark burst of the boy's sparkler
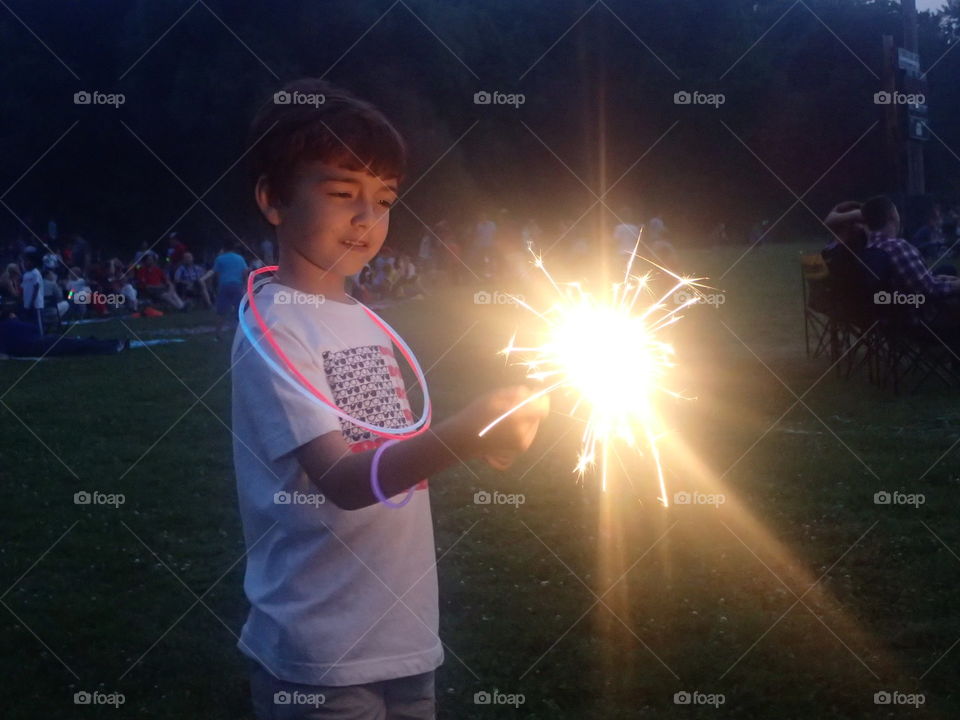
(609, 355)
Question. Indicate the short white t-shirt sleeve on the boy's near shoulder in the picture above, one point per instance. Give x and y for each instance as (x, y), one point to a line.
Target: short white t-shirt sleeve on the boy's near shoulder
(282, 417)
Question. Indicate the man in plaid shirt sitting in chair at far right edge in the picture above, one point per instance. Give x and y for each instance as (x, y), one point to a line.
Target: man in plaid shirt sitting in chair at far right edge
(910, 272)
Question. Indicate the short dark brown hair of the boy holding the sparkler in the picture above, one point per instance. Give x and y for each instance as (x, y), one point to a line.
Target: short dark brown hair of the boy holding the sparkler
(310, 120)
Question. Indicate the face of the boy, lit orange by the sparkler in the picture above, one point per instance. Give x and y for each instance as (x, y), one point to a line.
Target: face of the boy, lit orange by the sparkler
(336, 219)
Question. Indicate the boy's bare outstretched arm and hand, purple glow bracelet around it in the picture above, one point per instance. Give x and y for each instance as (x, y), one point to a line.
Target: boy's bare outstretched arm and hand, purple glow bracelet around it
(344, 477)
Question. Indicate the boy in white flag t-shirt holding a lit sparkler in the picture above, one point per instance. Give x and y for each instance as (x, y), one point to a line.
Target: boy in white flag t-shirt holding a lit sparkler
(342, 588)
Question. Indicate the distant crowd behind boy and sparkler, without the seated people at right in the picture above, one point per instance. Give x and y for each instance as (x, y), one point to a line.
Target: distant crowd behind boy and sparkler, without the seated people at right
(47, 281)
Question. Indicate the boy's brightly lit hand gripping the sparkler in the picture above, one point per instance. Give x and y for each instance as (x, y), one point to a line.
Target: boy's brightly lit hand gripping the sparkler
(510, 437)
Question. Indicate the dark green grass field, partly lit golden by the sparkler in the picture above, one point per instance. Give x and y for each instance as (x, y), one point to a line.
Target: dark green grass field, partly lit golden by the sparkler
(798, 597)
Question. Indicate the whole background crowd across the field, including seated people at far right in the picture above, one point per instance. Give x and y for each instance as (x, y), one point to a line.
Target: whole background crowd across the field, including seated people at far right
(62, 279)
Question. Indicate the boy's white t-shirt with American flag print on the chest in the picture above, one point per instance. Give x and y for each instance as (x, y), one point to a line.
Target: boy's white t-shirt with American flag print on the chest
(323, 582)
